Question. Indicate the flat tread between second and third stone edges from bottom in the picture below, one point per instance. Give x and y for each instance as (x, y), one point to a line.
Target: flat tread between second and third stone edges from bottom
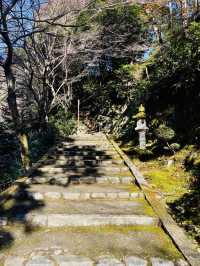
(53, 204)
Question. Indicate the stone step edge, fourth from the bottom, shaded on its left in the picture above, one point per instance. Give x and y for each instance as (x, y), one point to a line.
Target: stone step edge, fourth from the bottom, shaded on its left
(65, 179)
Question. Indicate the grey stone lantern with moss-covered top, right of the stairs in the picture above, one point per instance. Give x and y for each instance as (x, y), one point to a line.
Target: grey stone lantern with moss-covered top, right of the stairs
(141, 127)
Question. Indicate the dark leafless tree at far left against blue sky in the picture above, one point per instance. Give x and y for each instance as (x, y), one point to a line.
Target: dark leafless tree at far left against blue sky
(20, 19)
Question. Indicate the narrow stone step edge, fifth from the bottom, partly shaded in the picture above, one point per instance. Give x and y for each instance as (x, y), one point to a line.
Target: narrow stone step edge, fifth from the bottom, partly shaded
(70, 170)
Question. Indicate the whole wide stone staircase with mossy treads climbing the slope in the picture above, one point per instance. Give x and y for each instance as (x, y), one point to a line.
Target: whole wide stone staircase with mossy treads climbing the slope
(82, 207)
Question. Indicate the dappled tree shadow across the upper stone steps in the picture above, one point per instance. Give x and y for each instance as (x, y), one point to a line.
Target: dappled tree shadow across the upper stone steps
(75, 164)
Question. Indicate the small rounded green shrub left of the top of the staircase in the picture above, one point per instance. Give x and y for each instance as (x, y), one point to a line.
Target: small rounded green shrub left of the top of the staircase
(64, 123)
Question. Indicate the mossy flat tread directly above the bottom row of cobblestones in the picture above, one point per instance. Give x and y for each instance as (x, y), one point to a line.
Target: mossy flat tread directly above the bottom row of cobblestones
(120, 241)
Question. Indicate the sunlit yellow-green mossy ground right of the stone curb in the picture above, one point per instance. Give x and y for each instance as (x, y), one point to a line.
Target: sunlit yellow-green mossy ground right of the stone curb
(178, 185)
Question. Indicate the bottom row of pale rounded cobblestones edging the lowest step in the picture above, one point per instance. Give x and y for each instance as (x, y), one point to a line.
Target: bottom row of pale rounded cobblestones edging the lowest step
(74, 260)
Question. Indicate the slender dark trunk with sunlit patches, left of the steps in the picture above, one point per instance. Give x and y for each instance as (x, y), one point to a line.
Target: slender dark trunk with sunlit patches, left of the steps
(12, 103)
